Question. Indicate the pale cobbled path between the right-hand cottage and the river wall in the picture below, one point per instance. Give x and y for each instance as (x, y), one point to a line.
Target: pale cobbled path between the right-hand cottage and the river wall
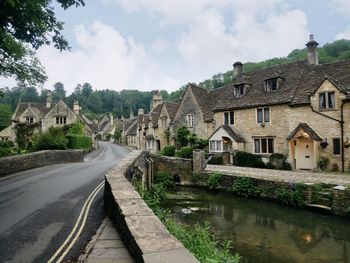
(283, 176)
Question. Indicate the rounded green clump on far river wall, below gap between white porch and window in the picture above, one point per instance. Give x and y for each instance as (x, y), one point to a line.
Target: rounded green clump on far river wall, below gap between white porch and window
(245, 187)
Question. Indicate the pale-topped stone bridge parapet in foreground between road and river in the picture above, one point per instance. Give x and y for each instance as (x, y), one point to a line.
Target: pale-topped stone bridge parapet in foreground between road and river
(143, 233)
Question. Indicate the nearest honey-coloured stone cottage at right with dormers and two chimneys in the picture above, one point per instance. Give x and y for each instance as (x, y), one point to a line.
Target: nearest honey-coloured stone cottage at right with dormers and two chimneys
(299, 109)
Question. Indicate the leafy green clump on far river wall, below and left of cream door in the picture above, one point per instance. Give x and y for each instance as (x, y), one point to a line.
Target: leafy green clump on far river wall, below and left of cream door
(293, 196)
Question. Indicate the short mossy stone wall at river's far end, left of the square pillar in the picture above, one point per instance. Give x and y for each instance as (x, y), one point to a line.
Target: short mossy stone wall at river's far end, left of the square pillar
(176, 166)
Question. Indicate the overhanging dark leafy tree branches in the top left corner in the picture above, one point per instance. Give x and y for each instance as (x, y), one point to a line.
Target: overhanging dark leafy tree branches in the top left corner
(26, 25)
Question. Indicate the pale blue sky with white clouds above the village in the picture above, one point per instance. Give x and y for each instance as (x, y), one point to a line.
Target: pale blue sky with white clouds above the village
(163, 44)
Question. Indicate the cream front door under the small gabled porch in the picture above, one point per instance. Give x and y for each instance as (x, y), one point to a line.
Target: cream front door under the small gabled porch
(304, 154)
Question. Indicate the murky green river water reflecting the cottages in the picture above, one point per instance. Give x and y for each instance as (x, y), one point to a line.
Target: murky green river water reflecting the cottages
(264, 231)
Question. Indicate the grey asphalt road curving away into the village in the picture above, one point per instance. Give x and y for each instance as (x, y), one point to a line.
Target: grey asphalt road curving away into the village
(39, 207)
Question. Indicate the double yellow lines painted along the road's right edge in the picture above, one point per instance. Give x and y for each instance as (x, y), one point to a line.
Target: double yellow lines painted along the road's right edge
(83, 214)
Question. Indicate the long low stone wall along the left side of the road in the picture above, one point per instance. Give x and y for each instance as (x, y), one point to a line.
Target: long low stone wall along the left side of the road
(18, 163)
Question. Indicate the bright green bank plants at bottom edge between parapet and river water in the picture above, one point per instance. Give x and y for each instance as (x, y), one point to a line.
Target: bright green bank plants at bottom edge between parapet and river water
(201, 243)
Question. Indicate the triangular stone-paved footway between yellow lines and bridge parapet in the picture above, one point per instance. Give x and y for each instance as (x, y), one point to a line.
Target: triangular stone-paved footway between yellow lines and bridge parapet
(106, 247)
